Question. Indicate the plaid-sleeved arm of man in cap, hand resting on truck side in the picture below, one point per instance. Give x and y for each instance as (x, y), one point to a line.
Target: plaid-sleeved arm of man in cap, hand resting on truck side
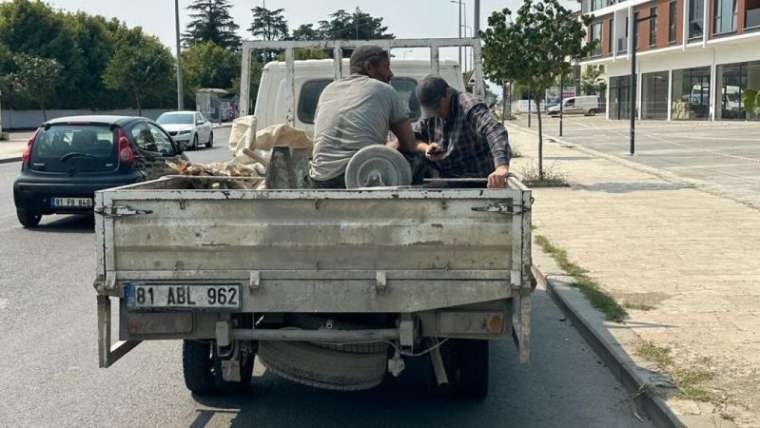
(492, 131)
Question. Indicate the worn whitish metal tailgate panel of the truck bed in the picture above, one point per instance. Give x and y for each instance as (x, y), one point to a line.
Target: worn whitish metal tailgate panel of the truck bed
(297, 243)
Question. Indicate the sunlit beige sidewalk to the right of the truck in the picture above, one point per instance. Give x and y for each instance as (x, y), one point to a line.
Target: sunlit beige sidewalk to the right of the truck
(684, 263)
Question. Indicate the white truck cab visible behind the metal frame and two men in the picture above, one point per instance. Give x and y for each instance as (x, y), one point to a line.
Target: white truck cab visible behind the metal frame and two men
(312, 76)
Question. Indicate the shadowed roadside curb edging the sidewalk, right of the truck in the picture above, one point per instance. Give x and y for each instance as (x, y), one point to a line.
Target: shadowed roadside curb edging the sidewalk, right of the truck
(613, 356)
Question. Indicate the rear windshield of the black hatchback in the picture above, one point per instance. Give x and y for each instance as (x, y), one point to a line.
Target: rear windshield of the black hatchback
(75, 149)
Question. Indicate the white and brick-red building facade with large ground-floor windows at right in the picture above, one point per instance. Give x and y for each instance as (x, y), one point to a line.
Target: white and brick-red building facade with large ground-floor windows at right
(696, 60)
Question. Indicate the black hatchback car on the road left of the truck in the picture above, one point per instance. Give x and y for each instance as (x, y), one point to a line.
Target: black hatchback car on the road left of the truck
(67, 160)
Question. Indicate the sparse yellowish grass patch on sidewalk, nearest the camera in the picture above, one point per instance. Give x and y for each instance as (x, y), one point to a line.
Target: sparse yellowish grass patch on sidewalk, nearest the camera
(689, 381)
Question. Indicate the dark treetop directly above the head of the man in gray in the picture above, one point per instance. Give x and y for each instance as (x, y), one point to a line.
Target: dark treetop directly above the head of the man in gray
(359, 25)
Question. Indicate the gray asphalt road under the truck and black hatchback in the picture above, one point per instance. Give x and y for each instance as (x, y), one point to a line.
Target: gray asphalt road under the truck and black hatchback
(49, 374)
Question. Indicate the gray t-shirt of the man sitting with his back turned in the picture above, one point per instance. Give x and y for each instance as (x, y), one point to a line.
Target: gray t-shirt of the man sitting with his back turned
(352, 113)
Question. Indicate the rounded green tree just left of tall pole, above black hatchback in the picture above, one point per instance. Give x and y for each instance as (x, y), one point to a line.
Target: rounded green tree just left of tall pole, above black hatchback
(140, 66)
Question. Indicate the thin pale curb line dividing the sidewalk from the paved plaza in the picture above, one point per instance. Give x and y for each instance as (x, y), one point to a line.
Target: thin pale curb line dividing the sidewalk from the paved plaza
(700, 185)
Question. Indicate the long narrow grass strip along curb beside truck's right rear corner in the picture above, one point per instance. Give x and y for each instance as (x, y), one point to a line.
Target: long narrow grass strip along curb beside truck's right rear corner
(588, 287)
